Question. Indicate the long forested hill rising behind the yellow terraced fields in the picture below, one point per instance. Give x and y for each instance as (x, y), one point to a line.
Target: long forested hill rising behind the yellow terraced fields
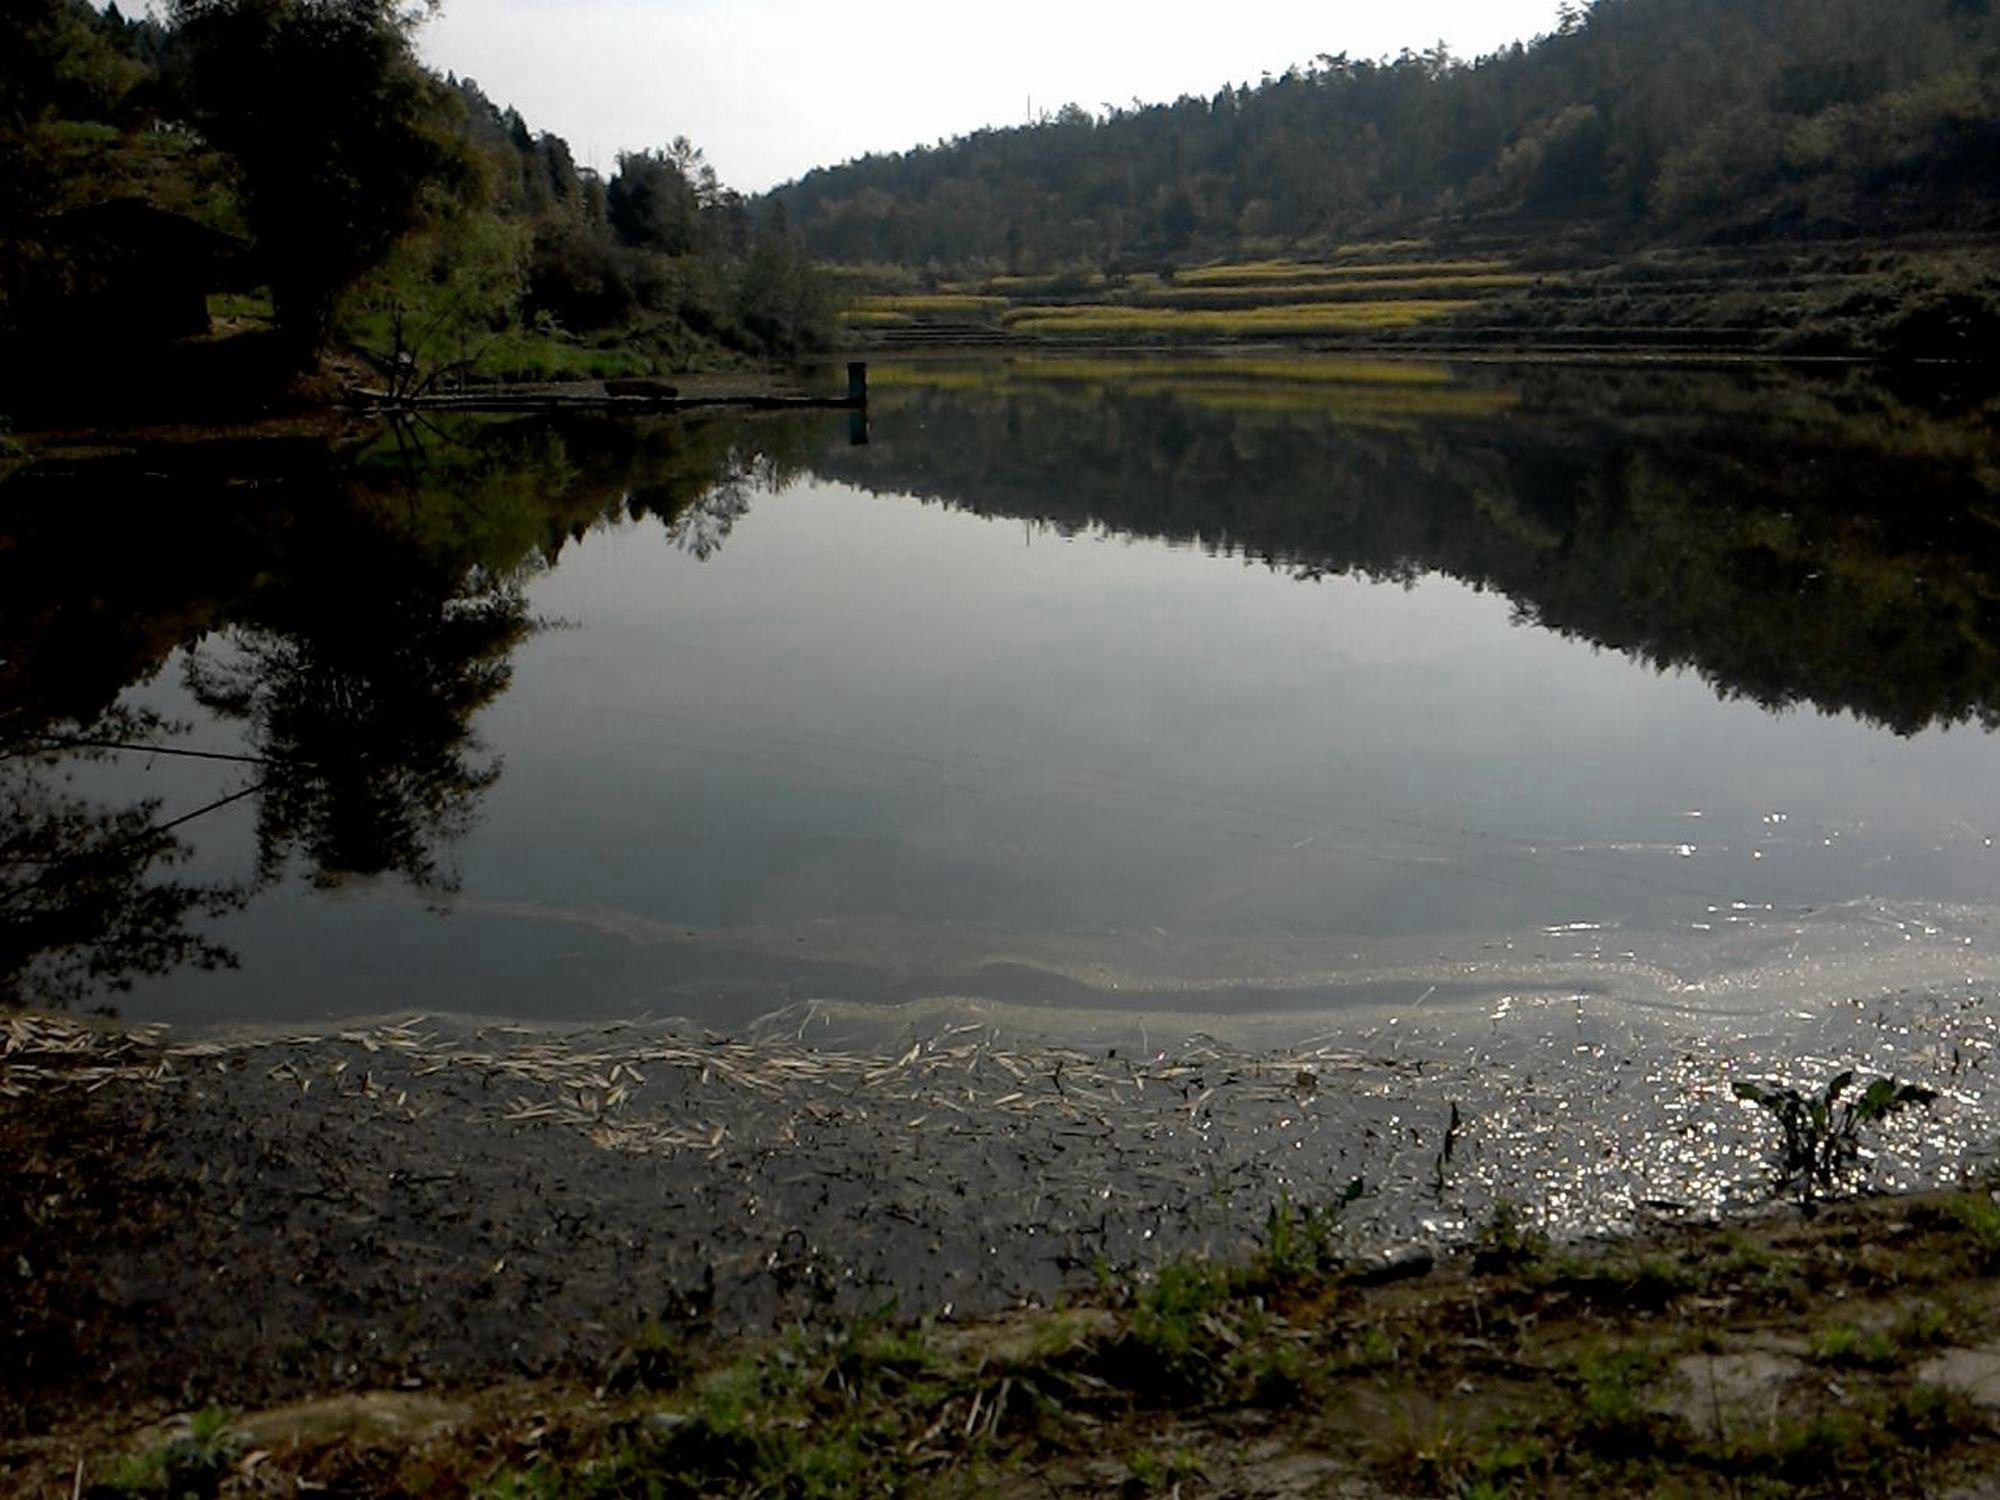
(1637, 119)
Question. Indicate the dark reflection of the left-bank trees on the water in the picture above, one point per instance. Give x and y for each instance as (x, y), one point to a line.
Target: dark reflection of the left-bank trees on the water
(351, 611)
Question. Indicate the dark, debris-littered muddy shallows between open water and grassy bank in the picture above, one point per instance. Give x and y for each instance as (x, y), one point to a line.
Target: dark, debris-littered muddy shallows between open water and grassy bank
(413, 1205)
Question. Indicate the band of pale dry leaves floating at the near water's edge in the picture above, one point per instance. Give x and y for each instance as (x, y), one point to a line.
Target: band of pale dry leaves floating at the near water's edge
(607, 1083)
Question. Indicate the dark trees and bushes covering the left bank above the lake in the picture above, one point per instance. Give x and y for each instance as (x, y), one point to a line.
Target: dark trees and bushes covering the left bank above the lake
(301, 147)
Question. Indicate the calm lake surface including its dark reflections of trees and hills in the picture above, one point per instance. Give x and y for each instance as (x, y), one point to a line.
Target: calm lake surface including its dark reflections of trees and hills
(1091, 697)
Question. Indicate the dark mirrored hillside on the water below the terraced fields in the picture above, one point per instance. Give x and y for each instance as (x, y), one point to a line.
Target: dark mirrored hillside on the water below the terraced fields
(1791, 543)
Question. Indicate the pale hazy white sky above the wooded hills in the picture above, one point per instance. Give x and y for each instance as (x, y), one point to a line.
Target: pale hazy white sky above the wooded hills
(771, 89)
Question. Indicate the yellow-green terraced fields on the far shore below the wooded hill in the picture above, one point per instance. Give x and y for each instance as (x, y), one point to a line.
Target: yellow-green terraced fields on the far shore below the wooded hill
(1935, 299)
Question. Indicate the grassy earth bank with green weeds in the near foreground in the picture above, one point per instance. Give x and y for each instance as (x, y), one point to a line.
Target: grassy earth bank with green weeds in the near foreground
(1833, 1355)
